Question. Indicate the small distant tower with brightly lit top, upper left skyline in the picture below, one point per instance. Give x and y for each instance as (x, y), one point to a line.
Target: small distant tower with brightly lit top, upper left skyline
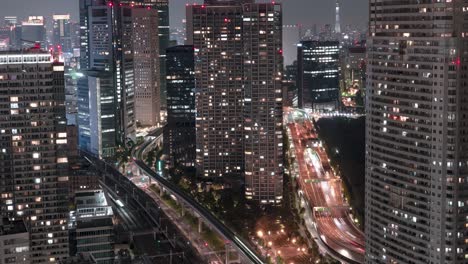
(62, 35)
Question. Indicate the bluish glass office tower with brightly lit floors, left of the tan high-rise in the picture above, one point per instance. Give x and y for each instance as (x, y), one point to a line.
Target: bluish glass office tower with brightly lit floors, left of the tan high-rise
(106, 94)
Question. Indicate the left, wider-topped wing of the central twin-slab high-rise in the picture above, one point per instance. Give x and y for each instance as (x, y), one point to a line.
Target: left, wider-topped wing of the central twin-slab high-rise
(219, 51)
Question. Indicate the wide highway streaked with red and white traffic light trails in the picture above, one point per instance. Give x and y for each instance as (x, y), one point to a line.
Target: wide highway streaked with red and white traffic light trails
(322, 189)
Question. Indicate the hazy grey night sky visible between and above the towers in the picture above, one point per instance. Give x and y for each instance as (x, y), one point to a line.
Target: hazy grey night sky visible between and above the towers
(306, 12)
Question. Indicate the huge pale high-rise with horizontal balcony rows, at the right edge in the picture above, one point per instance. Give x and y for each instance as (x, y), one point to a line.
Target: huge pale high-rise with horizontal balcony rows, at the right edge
(416, 138)
